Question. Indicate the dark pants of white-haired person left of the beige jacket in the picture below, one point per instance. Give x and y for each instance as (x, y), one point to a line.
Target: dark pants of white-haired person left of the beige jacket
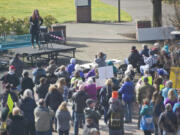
(30, 128)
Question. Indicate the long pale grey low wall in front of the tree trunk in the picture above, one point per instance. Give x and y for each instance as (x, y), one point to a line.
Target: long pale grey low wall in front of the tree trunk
(156, 33)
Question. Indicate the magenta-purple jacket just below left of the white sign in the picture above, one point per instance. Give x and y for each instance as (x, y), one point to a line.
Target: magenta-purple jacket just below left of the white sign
(91, 91)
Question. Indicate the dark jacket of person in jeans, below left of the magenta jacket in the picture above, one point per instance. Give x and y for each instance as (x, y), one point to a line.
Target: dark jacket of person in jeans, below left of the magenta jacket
(79, 100)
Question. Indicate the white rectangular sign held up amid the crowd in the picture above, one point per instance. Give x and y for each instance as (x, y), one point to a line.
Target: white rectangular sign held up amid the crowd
(105, 72)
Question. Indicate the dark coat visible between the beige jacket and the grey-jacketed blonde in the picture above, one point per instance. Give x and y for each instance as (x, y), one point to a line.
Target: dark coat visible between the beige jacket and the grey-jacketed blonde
(53, 99)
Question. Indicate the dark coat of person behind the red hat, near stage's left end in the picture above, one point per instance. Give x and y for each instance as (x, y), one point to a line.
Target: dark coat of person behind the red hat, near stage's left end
(18, 64)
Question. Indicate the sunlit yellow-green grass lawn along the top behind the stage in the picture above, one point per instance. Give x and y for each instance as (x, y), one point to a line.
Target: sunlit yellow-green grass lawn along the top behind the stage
(63, 10)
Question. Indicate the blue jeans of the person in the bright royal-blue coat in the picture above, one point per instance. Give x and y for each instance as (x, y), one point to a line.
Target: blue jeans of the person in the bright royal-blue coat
(128, 112)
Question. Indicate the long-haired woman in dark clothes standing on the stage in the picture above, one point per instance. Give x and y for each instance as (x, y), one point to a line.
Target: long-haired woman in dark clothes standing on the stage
(35, 22)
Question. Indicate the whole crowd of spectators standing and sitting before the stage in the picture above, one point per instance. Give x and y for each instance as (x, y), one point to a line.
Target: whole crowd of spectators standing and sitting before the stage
(58, 98)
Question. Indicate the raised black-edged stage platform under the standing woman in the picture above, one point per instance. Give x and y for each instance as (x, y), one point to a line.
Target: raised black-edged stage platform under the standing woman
(31, 55)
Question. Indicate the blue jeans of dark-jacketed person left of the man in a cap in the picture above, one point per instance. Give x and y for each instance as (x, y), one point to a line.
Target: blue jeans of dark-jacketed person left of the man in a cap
(78, 117)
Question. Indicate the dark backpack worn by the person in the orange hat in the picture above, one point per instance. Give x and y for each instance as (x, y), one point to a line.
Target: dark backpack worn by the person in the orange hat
(116, 120)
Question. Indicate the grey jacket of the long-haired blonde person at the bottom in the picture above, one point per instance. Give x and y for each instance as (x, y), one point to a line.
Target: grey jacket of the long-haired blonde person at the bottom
(63, 118)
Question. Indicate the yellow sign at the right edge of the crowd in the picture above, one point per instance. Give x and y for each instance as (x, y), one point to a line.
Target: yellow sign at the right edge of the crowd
(175, 77)
